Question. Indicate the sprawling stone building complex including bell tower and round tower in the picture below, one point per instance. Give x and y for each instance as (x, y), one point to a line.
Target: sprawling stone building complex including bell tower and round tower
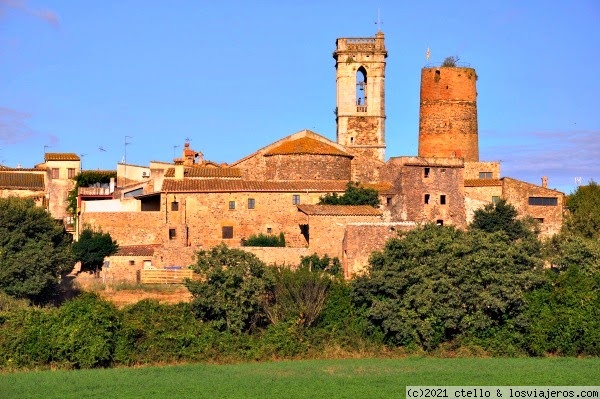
(161, 214)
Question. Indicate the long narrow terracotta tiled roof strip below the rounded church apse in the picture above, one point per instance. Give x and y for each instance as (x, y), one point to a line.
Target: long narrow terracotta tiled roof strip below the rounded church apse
(222, 185)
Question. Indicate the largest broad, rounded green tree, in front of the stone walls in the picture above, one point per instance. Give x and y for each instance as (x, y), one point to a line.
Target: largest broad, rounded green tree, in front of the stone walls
(435, 283)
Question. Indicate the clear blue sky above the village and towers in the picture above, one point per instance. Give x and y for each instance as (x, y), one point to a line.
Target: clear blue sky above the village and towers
(234, 76)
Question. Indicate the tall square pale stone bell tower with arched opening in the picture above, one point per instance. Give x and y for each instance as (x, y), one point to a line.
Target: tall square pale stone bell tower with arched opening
(360, 78)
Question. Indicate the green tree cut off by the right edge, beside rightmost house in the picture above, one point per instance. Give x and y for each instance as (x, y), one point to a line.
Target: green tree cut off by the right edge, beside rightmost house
(584, 211)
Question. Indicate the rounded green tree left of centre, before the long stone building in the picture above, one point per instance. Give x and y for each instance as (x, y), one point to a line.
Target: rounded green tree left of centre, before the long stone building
(231, 290)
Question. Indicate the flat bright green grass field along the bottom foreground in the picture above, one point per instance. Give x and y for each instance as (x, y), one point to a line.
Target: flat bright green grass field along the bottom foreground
(363, 378)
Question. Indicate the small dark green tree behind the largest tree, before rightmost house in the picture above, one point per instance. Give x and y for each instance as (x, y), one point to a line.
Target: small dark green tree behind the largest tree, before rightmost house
(502, 217)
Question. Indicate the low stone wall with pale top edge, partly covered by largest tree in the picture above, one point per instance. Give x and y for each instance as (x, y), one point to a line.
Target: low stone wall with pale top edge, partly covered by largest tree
(361, 239)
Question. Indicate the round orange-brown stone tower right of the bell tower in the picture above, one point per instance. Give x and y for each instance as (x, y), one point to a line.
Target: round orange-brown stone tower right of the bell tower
(448, 113)
